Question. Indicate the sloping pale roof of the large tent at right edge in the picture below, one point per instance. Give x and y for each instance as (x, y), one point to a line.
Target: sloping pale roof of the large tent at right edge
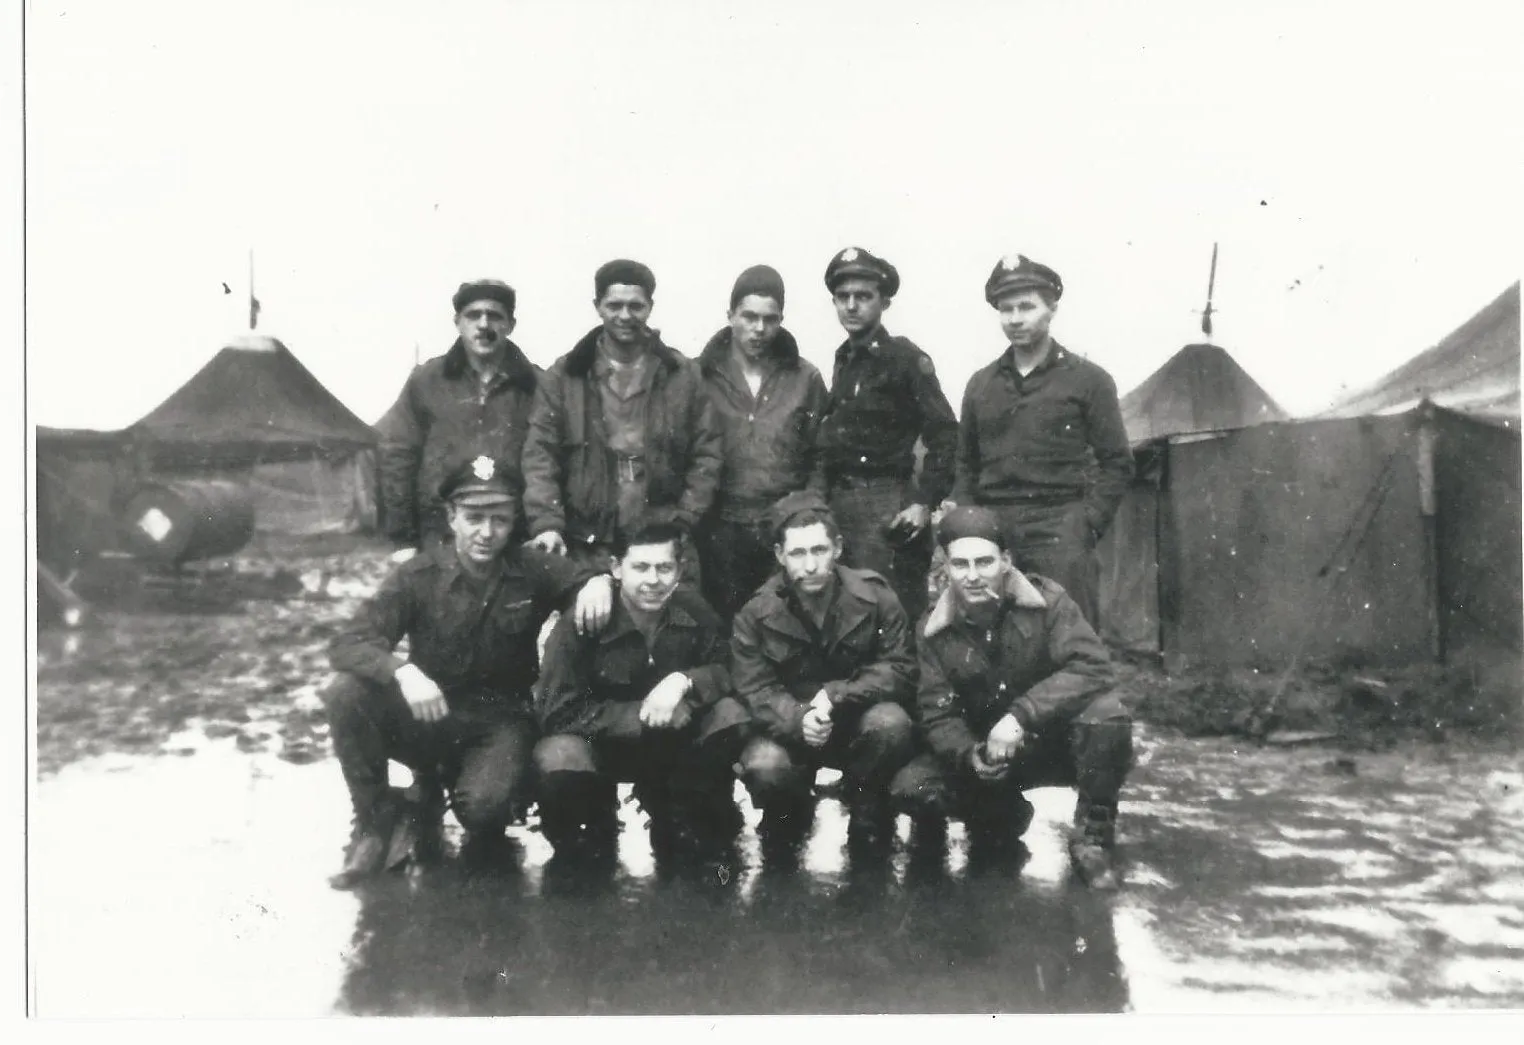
(1474, 371)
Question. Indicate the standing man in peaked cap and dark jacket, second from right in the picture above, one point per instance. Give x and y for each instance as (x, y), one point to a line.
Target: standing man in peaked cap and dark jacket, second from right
(885, 395)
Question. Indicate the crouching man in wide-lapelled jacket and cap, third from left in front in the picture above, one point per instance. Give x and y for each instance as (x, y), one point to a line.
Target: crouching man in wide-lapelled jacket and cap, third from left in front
(822, 657)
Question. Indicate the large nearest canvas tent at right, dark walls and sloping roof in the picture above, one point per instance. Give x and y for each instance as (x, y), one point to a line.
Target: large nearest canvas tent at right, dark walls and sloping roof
(1389, 537)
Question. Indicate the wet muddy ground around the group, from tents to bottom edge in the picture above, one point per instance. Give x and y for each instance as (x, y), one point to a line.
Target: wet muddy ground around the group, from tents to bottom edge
(1378, 868)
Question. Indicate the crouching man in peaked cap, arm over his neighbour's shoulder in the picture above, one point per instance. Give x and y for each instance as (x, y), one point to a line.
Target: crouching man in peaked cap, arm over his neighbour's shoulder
(461, 701)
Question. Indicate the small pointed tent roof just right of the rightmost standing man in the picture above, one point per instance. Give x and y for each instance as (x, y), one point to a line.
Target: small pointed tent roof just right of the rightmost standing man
(1200, 389)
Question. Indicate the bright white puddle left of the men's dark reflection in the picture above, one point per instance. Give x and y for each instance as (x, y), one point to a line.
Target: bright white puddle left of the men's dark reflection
(188, 887)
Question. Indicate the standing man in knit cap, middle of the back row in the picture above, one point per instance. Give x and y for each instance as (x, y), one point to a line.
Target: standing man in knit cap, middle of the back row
(769, 403)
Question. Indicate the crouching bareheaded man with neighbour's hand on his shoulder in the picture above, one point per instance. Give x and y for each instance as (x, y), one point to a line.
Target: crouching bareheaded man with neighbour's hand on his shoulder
(647, 701)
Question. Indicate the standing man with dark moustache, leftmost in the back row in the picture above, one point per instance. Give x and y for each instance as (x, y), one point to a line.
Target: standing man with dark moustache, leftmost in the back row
(472, 401)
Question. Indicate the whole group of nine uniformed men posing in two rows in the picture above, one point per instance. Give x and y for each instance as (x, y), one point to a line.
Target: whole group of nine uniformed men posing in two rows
(740, 558)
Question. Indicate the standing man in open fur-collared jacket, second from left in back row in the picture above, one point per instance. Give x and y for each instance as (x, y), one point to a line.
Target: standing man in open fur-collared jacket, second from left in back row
(623, 432)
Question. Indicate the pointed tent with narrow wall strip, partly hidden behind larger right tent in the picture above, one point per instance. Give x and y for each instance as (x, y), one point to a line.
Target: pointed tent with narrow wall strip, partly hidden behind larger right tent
(1199, 389)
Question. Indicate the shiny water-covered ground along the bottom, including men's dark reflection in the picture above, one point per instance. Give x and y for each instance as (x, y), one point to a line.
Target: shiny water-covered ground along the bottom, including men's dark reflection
(1308, 890)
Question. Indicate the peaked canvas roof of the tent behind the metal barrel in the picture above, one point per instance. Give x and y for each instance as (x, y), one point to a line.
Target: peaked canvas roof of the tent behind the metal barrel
(252, 404)
